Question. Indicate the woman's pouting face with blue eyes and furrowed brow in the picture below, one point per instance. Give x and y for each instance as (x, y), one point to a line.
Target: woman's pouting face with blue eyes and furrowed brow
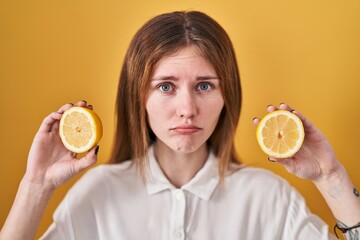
(184, 101)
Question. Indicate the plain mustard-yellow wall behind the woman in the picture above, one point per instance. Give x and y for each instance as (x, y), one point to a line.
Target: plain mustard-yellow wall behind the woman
(305, 53)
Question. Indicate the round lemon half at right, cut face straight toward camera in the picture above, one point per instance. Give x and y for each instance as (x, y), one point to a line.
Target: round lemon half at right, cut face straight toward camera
(280, 134)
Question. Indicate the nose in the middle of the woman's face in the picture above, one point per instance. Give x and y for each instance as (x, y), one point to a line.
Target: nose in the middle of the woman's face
(186, 105)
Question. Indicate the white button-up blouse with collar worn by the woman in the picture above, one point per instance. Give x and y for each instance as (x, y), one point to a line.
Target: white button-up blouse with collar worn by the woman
(112, 202)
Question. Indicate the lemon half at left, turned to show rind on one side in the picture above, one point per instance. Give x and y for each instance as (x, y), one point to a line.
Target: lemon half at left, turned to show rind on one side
(80, 129)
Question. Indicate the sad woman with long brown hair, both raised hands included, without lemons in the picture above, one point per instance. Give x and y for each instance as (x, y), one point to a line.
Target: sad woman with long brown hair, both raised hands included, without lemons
(178, 105)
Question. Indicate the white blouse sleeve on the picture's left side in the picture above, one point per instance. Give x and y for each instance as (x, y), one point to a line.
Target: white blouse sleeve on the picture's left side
(76, 216)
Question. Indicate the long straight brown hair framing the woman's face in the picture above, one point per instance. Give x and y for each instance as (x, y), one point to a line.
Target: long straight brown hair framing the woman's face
(159, 37)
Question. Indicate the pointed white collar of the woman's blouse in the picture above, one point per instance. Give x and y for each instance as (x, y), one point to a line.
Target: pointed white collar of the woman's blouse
(201, 185)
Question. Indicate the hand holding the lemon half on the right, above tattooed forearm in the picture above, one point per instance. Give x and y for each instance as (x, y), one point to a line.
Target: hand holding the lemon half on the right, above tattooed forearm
(316, 159)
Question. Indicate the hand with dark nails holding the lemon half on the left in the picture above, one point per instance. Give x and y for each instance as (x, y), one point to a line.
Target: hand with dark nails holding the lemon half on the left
(49, 162)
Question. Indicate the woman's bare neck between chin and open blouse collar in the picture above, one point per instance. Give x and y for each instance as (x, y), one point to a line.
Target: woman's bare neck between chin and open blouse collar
(180, 167)
